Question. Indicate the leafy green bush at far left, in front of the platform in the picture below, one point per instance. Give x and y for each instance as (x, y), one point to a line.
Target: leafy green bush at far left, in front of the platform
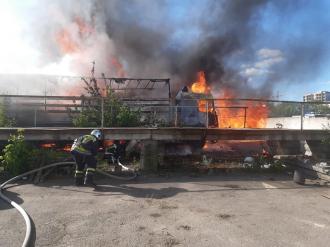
(16, 155)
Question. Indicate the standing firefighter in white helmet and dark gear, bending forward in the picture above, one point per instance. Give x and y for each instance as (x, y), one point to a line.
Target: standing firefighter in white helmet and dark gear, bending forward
(84, 150)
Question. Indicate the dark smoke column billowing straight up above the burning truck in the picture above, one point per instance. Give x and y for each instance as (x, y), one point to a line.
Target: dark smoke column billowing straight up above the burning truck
(224, 27)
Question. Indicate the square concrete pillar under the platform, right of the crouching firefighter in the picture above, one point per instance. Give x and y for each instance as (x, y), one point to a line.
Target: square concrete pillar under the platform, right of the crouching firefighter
(152, 155)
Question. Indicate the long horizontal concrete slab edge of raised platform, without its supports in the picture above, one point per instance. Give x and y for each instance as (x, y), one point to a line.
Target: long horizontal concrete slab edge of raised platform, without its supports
(168, 134)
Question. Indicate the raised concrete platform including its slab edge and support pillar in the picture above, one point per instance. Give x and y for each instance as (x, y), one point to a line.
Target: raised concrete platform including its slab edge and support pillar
(280, 141)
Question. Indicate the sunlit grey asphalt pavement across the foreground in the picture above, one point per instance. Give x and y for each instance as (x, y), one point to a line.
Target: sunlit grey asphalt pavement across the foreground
(222, 210)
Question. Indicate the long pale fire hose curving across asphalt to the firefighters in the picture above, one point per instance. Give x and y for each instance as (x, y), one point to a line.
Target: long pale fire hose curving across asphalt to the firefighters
(25, 214)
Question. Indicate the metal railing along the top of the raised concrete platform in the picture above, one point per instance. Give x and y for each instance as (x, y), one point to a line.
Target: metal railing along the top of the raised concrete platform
(52, 111)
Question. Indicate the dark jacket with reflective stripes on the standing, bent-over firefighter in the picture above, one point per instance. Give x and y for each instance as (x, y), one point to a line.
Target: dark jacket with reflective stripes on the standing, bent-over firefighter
(87, 145)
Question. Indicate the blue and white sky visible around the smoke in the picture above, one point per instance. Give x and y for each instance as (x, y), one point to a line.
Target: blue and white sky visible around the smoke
(289, 46)
